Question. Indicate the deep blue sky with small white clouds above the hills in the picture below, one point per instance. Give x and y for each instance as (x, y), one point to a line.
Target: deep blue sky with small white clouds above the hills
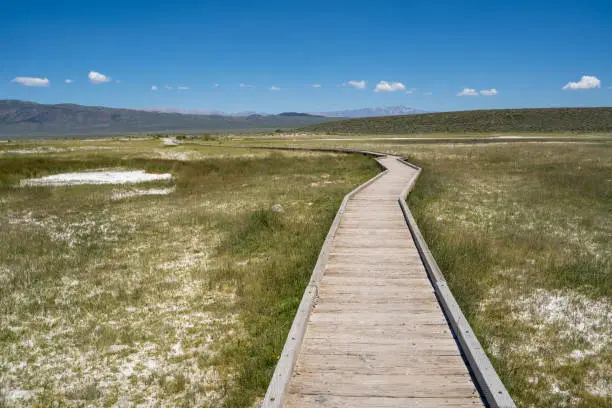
(428, 52)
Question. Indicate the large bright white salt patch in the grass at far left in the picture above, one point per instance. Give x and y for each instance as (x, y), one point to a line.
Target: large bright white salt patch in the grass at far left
(96, 177)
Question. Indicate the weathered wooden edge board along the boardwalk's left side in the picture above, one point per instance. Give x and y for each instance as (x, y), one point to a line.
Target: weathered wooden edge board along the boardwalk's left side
(279, 384)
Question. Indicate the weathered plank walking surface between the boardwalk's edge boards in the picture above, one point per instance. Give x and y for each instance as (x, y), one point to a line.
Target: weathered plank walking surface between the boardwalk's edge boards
(377, 336)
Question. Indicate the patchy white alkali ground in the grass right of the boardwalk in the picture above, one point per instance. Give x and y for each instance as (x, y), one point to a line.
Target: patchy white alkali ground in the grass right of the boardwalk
(573, 319)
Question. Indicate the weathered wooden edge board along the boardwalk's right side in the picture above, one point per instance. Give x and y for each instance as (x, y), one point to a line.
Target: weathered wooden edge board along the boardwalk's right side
(494, 392)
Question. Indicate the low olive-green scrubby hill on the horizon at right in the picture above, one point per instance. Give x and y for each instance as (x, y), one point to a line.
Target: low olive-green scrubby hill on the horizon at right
(479, 121)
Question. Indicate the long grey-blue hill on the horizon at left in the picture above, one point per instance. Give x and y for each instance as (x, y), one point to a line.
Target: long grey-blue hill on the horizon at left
(19, 119)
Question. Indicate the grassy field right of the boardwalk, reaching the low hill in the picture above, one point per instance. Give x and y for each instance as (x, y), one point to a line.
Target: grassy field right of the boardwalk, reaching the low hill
(523, 234)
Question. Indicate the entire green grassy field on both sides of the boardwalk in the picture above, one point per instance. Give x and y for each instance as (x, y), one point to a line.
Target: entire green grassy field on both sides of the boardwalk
(189, 284)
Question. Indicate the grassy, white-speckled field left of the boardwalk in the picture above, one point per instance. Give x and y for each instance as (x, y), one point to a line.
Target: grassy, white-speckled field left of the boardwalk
(182, 298)
